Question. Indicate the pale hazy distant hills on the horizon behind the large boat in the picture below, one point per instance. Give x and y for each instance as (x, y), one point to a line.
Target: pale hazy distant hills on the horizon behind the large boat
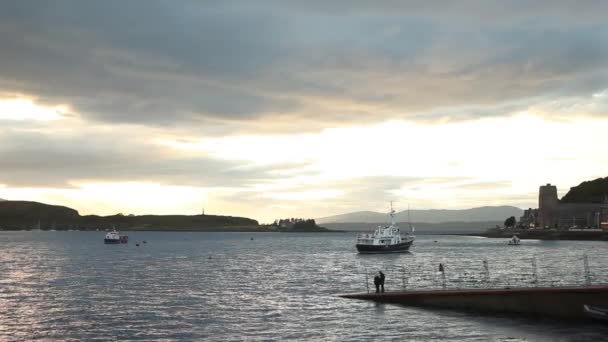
(481, 214)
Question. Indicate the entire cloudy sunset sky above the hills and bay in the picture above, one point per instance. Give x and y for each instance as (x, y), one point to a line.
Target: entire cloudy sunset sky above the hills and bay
(272, 109)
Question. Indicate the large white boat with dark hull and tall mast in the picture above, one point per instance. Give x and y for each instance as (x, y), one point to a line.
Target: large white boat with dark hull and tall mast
(385, 239)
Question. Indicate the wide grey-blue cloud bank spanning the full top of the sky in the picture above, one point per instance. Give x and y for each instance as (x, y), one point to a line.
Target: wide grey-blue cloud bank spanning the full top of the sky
(207, 63)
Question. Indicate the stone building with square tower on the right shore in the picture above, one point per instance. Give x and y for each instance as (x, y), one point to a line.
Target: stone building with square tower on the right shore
(553, 213)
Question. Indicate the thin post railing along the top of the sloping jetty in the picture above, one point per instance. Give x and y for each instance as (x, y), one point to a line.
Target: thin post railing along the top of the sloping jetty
(535, 271)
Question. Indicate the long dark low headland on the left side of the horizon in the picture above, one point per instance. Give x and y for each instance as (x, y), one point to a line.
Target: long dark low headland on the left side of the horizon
(15, 215)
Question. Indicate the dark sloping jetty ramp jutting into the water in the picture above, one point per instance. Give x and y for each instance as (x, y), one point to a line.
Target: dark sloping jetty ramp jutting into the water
(557, 302)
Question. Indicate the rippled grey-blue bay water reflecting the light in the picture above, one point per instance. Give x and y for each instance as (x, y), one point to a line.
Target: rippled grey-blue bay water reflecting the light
(225, 286)
